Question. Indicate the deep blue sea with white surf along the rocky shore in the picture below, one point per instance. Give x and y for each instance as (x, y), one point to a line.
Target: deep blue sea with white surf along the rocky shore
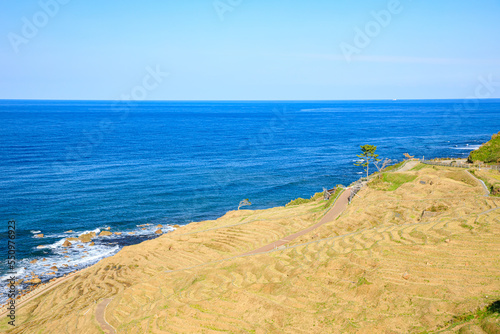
(88, 165)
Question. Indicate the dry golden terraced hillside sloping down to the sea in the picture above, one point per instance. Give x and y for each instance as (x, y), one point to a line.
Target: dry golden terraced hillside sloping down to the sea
(416, 251)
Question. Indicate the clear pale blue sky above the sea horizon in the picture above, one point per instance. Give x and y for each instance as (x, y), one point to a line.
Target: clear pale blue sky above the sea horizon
(249, 49)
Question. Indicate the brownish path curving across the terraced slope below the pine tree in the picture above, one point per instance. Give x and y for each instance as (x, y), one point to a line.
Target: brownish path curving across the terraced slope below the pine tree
(339, 206)
